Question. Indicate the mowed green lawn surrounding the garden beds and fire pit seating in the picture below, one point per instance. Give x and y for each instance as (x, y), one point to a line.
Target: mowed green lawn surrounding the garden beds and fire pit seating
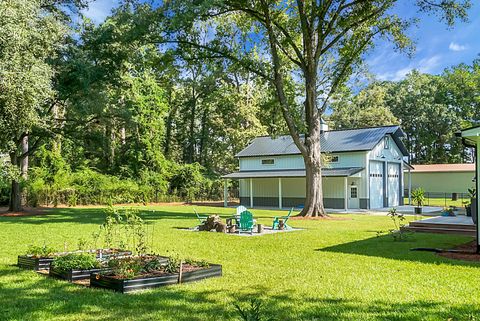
(331, 270)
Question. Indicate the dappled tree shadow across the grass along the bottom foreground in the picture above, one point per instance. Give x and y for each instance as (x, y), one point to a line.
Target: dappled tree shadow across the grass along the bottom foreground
(25, 296)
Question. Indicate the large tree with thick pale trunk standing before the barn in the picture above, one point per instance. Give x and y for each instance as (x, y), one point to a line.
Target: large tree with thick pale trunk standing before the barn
(305, 49)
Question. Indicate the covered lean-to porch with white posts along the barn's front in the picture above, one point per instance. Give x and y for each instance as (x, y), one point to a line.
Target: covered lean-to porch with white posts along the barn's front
(343, 188)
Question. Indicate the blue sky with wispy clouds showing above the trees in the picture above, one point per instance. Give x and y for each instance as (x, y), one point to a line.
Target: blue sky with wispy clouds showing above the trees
(437, 47)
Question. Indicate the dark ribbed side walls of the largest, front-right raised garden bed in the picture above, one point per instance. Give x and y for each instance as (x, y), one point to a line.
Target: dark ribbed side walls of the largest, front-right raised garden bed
(111, 282)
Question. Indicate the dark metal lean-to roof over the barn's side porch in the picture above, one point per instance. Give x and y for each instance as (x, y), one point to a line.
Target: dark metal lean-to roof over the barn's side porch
(326, 172)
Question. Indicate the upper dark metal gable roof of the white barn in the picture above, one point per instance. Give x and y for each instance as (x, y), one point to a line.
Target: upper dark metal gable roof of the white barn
(335, 141)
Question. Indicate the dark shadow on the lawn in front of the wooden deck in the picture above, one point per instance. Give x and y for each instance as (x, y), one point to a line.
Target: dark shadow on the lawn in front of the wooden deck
(385, 247)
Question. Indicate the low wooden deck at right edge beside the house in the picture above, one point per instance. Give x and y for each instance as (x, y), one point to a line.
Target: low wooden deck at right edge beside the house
(459, 225)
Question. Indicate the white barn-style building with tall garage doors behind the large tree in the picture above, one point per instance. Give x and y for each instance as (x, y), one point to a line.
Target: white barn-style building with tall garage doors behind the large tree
(365, 170)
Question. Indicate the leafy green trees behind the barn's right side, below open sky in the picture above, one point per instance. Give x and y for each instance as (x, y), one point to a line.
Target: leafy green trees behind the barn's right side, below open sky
(430, 109)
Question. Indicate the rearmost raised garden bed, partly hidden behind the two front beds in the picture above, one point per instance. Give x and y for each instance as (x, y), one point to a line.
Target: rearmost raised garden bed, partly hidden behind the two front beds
(36, 263)
